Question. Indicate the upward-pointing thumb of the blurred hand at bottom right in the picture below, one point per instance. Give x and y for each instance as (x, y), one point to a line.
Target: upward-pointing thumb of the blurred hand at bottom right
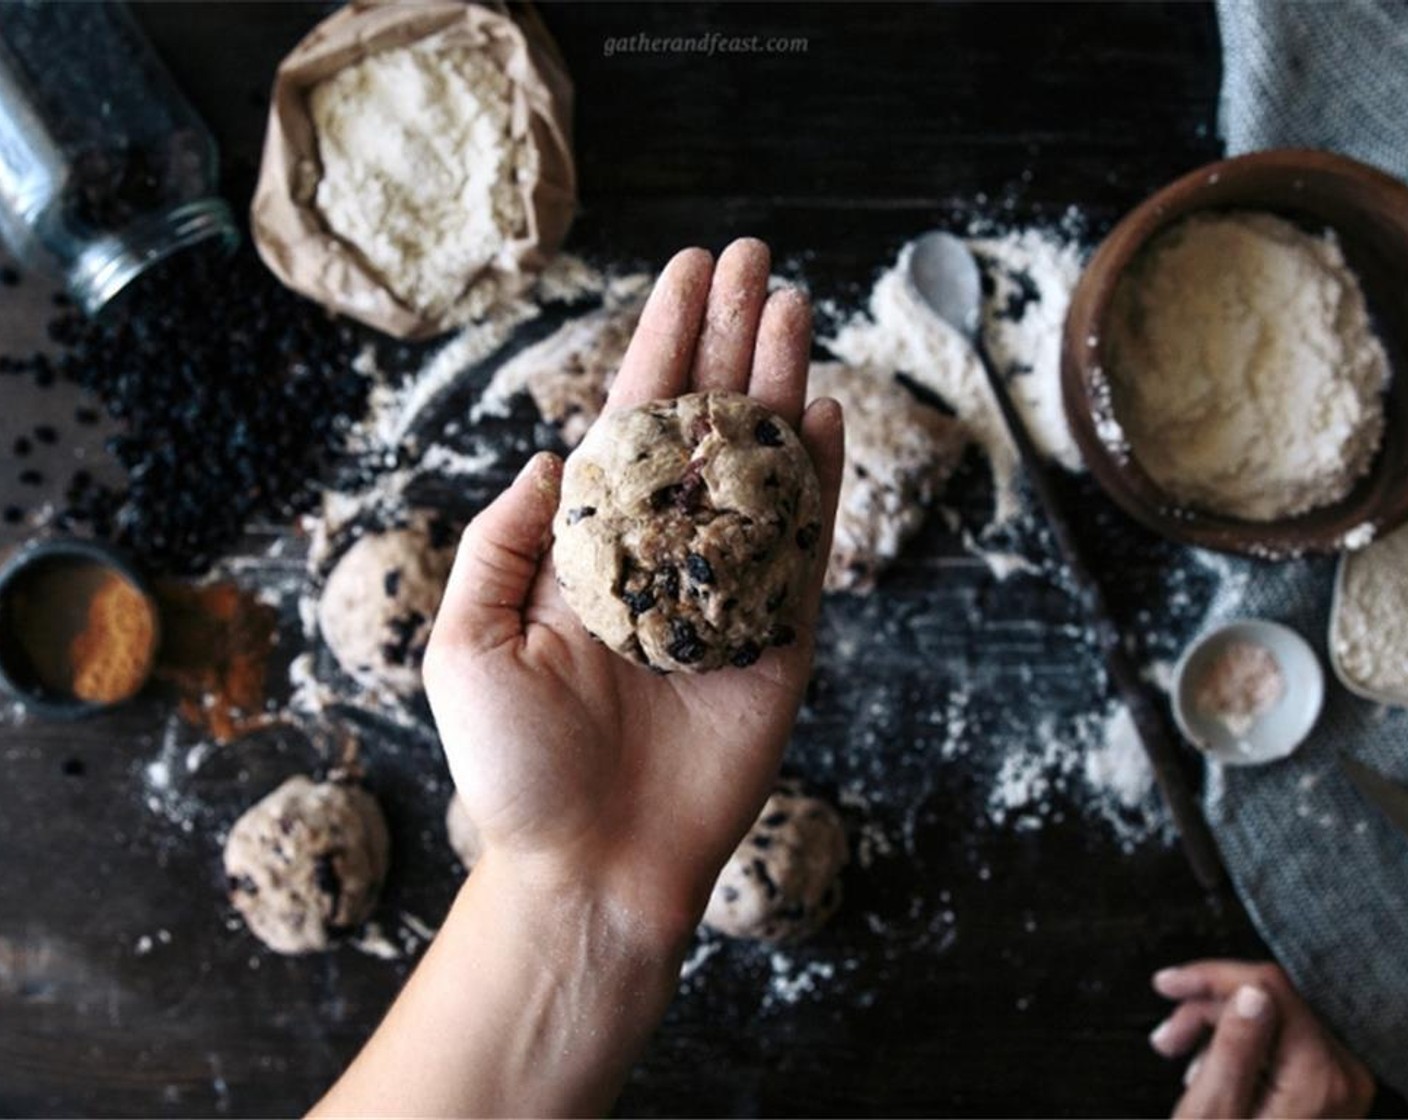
(1230, 1077)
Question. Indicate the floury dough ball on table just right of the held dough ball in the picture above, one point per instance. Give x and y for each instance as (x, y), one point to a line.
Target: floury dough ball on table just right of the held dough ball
(900, 453)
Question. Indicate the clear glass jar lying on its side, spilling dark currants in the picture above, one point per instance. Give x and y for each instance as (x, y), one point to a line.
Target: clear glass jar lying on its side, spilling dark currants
(105, 168)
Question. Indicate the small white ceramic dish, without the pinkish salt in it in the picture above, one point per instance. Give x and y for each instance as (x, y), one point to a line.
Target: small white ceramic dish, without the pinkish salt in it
(1279, 730)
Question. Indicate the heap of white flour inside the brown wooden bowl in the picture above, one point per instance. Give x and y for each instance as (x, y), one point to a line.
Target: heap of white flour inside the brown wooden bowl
(1244, 367)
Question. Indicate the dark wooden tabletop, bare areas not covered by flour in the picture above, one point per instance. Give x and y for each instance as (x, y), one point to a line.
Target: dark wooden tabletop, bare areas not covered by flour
(125, 991)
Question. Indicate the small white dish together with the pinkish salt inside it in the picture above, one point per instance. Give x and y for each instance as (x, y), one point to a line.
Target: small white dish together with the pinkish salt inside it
(1248, 692)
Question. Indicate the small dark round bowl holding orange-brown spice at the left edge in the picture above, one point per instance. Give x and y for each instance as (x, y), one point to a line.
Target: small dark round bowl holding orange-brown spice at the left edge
(78, 628)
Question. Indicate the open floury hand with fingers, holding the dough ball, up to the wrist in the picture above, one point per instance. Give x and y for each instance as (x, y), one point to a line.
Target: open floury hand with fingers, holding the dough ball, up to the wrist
(571, 759)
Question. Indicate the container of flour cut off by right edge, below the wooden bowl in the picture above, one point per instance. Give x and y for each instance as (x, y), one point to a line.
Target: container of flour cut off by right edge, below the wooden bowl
(1371, 630)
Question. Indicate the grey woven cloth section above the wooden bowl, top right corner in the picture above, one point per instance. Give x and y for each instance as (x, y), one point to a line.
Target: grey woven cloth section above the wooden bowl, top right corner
(1317, 75)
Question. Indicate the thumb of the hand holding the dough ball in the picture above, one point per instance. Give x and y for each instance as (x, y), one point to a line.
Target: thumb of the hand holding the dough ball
(499, 560)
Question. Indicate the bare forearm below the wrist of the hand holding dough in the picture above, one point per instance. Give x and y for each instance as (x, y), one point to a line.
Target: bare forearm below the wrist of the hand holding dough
(530, 1002)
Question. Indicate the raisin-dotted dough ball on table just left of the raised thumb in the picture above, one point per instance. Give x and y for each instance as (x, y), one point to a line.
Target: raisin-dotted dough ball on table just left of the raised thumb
(379, 604)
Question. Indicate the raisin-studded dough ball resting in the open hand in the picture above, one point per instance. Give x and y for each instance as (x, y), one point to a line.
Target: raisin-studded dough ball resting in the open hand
(688, 532)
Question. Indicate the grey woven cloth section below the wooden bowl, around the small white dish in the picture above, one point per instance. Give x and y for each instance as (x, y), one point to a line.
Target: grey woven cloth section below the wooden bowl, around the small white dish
(1321, 873)
